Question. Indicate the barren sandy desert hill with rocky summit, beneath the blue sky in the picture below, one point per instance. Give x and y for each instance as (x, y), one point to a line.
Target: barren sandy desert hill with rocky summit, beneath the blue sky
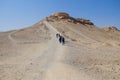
(34, 53)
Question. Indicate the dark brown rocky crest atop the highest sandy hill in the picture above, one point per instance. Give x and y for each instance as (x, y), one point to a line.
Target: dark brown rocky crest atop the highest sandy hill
(65, 16)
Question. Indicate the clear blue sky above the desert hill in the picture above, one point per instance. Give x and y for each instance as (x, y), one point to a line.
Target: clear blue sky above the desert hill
(18, 14)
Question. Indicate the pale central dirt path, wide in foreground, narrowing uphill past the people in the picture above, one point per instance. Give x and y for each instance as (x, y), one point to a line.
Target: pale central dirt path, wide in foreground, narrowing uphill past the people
(57, 70)
